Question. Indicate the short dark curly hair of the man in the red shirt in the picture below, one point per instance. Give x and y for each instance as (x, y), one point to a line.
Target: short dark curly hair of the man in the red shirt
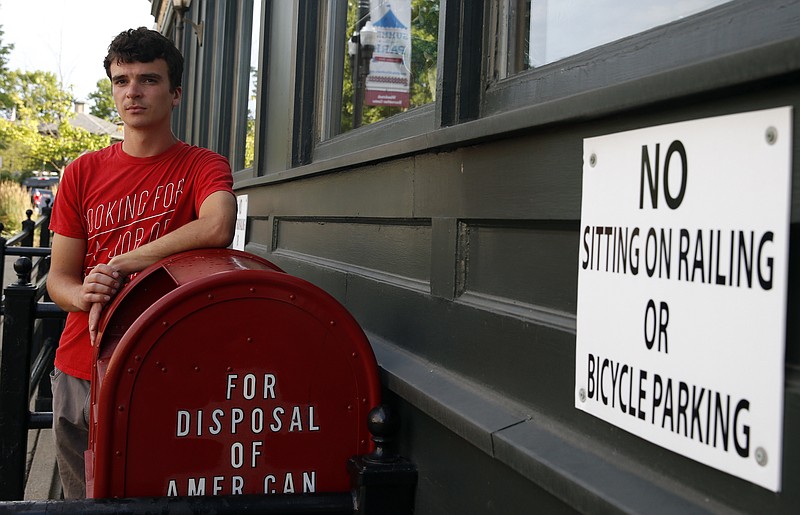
(143, 45)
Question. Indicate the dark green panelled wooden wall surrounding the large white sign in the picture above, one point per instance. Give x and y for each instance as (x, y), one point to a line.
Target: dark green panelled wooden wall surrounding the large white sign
(456, 249)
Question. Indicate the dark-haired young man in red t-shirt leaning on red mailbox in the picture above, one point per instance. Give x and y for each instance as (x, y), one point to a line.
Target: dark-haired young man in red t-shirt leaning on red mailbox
(121, 209)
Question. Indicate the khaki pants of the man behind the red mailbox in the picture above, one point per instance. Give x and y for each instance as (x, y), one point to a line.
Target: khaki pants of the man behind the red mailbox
(71, 430)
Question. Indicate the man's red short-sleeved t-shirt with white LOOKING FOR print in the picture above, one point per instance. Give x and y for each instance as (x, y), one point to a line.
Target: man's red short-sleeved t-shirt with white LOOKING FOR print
(116, 203)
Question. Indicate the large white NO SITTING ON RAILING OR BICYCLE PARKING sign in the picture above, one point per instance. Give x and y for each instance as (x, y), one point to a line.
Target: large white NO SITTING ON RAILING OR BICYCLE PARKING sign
(682, 282)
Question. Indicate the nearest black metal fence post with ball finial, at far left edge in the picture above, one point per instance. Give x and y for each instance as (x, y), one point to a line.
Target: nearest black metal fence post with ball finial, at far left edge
(20, 306)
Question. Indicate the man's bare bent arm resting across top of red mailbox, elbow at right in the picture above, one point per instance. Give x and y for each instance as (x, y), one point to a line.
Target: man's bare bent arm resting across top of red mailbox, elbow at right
(214, 227)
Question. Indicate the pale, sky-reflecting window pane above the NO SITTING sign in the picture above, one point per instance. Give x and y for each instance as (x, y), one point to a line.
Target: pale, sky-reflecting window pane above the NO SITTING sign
(543, 31)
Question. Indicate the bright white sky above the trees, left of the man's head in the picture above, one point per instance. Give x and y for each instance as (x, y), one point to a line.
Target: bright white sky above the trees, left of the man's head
(68, 37)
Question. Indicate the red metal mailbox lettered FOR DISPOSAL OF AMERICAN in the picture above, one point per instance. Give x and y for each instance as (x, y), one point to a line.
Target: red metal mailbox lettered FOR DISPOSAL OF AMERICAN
(217, 373)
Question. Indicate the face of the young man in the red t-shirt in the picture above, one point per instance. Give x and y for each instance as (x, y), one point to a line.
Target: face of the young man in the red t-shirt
(142, 94)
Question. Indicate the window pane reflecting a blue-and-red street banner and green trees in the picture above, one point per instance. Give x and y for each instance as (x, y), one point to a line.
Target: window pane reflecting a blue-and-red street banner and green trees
(390, 65)
